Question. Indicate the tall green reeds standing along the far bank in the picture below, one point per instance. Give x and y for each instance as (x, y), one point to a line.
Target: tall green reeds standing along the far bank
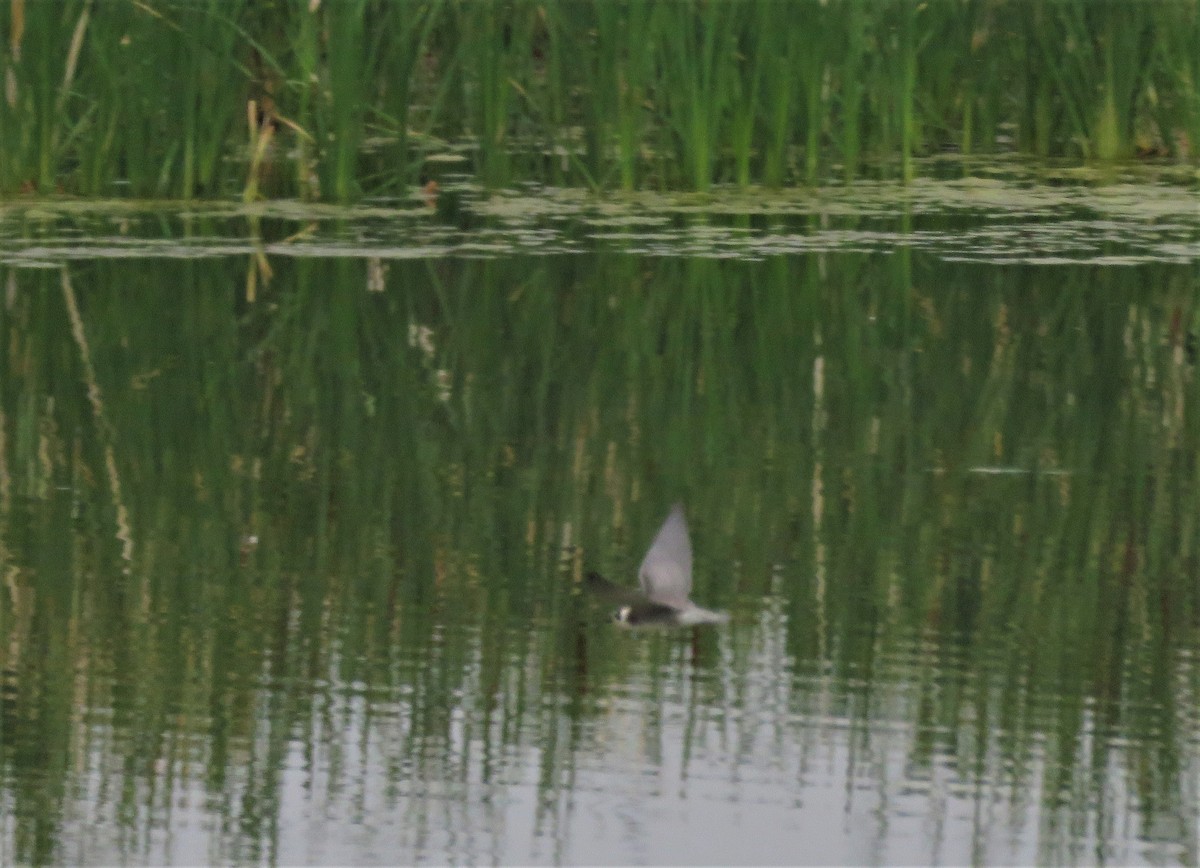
(351, 98)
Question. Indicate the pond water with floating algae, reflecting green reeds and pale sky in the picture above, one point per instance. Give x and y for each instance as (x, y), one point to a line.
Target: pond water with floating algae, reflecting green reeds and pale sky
(296, 507)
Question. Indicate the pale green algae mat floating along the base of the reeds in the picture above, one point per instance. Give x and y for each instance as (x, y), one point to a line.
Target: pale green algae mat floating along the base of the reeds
(1100, 218)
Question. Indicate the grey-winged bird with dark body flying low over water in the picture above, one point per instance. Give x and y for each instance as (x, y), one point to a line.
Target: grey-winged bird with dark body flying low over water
(665, 578)
